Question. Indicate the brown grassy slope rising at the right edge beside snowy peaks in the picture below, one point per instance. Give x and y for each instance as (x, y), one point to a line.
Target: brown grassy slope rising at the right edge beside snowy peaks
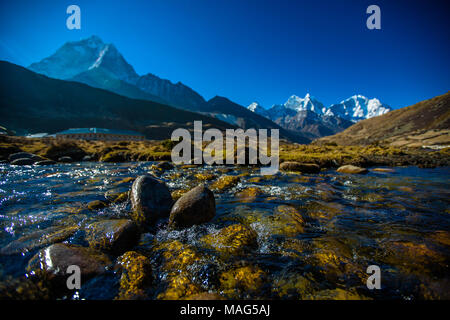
(424, 123)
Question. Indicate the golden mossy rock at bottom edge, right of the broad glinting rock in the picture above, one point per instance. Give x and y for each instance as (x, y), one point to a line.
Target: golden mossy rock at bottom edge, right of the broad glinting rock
(136, 276)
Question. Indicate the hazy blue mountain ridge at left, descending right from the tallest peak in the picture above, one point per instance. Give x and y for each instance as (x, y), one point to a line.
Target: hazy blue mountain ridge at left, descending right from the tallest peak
(100, 65)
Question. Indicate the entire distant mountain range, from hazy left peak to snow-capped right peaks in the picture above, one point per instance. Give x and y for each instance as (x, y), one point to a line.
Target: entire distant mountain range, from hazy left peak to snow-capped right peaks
(101, 65)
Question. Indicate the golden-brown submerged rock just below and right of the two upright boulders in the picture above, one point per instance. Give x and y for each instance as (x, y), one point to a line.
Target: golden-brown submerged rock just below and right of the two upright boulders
(235, 239)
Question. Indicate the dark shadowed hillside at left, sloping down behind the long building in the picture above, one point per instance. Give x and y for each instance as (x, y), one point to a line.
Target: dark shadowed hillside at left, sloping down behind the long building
(30, 103)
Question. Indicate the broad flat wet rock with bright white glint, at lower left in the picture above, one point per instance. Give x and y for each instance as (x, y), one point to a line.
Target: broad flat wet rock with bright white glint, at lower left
(56, 258)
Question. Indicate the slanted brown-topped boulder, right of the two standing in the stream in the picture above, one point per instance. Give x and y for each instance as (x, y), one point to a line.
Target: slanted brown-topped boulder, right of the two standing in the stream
(195, 207)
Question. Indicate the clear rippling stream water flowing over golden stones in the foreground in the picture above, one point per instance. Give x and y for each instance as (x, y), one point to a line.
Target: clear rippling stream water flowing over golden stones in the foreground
(315, 234)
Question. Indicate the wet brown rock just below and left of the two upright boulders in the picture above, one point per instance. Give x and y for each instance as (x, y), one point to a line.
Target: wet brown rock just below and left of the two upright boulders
(114, 236)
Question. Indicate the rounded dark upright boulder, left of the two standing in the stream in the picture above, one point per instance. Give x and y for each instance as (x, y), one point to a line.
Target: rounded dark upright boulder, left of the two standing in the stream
(150, 200)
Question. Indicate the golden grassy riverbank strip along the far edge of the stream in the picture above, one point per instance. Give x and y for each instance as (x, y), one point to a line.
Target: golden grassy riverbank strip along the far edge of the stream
(326, 156)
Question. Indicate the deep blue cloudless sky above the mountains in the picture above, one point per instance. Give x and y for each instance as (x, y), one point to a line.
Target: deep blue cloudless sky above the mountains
(254, 50)
